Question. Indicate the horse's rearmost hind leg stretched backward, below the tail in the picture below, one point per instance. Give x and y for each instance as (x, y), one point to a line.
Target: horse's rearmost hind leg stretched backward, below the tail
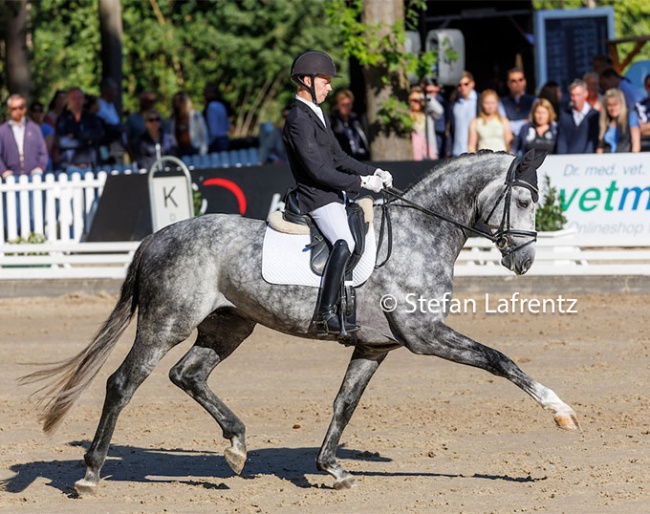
(120, 387)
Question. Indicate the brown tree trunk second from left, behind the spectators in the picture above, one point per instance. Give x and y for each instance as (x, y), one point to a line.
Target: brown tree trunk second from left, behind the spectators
(110, 27)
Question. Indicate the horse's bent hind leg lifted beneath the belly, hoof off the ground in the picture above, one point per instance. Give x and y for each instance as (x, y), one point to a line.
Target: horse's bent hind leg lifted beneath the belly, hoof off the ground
(219, 335)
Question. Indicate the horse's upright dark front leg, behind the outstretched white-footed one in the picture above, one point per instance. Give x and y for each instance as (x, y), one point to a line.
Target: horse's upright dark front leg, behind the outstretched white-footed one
(362, 367)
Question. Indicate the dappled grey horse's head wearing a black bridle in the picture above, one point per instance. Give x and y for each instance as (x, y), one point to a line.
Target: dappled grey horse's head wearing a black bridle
(507, 212)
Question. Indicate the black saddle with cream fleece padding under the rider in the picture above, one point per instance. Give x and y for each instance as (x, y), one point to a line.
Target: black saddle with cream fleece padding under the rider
(292, 222)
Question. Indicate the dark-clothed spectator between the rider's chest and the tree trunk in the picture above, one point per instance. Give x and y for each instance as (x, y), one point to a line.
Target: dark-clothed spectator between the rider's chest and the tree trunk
(347, 127)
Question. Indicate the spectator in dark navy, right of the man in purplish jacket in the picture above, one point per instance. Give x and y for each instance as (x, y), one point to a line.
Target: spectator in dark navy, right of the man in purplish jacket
(78, 133)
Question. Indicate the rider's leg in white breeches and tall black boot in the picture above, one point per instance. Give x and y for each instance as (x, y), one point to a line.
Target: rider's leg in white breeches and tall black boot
(332, 221)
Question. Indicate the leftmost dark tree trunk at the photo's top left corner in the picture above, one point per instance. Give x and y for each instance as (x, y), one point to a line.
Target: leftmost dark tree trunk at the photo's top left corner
(17, 60)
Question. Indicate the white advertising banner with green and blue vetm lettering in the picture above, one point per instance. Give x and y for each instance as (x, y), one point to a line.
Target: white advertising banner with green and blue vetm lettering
(604, 195)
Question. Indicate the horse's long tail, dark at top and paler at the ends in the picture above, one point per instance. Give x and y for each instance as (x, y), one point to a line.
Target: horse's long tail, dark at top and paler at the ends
(71, 377)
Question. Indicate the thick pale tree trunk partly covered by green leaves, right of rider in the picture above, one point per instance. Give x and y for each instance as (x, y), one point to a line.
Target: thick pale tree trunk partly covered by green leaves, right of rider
(386, 144)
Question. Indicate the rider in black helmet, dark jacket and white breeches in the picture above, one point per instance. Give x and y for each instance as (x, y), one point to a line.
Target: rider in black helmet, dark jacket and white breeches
(324, 174)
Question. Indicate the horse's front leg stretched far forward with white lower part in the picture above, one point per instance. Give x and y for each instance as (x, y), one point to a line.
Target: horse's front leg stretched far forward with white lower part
(450, 345)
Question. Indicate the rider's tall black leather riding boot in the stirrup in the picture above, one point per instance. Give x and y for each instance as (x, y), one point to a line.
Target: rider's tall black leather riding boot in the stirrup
(327, 319)
